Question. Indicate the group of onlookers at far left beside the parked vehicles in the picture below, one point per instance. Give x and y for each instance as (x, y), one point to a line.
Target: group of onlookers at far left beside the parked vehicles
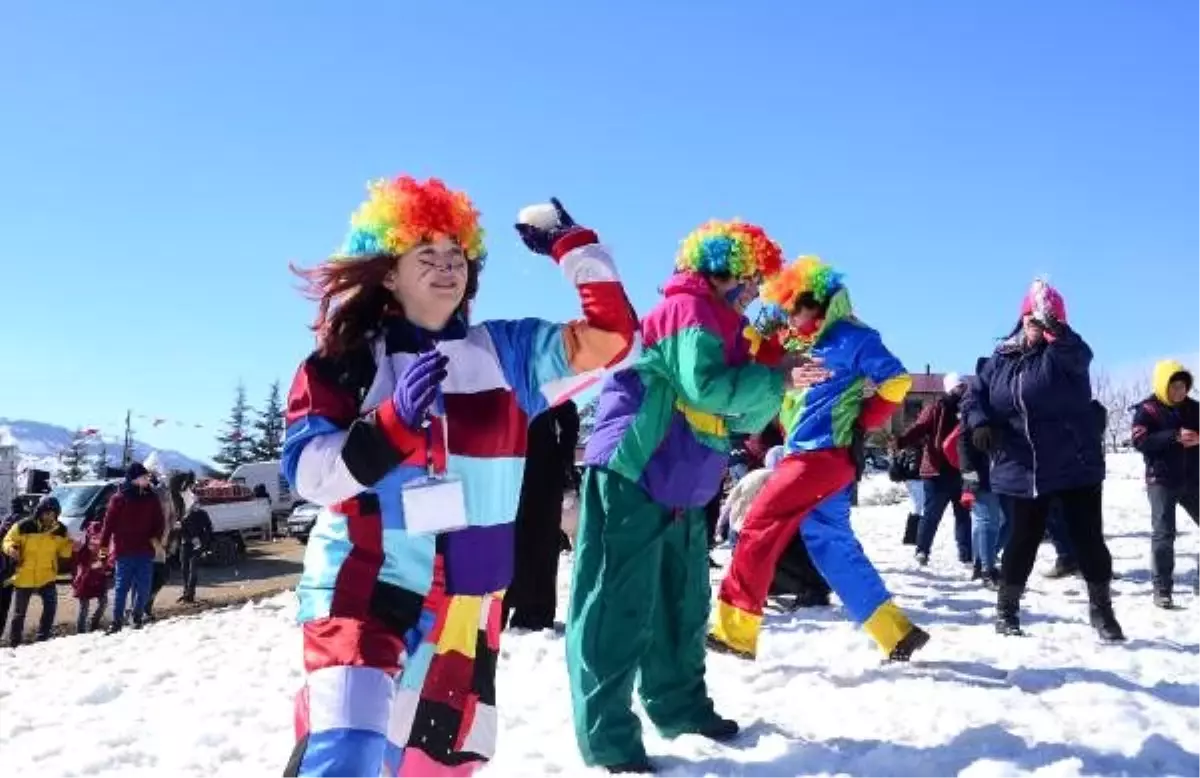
(127, 552)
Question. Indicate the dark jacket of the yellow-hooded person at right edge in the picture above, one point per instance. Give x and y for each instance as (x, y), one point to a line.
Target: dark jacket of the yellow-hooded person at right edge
(1156, 428)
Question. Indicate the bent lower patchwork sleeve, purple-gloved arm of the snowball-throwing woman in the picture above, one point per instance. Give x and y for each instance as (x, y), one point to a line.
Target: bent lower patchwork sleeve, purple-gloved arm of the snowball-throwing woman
(331, 452)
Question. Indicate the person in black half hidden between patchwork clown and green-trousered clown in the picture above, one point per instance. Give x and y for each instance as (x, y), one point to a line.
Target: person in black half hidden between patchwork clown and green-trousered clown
(550, 460)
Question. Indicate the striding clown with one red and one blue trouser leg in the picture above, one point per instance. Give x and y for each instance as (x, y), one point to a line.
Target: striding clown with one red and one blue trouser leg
(812, 487)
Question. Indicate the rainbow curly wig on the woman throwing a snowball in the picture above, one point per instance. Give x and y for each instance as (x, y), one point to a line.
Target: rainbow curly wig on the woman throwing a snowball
(404, 213)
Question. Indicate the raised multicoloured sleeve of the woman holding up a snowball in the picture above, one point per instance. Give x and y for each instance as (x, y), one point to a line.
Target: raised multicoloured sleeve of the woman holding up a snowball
(548, 363)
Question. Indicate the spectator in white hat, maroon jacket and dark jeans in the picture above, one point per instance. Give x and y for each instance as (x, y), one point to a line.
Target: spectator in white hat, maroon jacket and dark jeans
(941, 482)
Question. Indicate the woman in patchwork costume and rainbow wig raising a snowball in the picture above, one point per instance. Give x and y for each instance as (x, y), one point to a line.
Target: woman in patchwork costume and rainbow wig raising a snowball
(409, 427)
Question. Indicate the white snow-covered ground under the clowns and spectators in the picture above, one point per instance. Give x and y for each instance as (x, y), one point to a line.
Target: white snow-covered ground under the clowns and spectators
(212, 696)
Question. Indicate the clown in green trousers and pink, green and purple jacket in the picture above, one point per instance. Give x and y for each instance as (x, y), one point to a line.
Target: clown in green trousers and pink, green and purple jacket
(640, 591)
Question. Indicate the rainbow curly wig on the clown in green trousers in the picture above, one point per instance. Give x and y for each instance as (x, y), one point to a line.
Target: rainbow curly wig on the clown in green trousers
(730, 248)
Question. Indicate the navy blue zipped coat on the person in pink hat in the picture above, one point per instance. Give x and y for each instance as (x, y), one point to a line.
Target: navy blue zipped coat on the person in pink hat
(1039, 400)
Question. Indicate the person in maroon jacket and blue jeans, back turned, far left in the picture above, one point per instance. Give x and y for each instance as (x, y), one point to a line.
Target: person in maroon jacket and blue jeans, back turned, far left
(134, 523)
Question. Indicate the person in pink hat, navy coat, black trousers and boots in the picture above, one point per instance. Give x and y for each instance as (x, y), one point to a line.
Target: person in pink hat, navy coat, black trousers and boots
(1031, 410)
